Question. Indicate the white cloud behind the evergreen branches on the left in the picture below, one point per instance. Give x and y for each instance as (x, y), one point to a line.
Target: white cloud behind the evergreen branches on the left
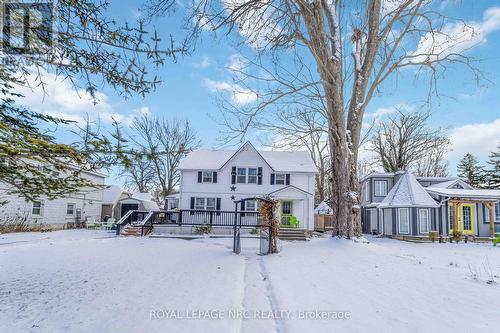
(62, 100)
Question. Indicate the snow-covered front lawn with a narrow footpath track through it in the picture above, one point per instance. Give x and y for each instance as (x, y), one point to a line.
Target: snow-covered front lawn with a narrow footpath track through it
(91, 281)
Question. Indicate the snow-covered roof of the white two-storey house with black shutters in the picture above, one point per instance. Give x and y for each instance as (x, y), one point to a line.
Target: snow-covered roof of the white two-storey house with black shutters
(285, 161)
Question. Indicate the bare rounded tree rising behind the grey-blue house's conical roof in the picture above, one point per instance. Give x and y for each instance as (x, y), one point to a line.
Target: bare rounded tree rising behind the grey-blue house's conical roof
(406, 142)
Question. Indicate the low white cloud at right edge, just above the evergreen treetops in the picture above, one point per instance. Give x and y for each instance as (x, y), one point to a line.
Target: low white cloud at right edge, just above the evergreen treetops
(478, 139)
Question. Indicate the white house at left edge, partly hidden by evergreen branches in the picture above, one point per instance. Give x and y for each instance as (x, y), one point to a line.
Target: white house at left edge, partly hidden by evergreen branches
(61, 212)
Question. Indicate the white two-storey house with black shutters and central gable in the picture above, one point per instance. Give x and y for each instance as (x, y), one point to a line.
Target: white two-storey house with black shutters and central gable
(214, 179)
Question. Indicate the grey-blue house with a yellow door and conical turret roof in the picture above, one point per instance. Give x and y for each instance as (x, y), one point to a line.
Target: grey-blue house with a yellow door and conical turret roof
(402, 204)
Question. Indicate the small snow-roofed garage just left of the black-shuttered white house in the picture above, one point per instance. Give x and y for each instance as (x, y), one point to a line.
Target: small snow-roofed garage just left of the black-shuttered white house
(117, 202)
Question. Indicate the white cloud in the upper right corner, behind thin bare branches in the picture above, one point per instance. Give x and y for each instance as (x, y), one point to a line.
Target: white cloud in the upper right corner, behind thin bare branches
(456, 37)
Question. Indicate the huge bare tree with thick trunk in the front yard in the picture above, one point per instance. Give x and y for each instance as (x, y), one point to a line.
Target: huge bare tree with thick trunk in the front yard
(348, 70)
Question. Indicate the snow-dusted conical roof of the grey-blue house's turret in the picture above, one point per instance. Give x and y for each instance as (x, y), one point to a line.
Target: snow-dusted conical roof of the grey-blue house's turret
(408, 193)
